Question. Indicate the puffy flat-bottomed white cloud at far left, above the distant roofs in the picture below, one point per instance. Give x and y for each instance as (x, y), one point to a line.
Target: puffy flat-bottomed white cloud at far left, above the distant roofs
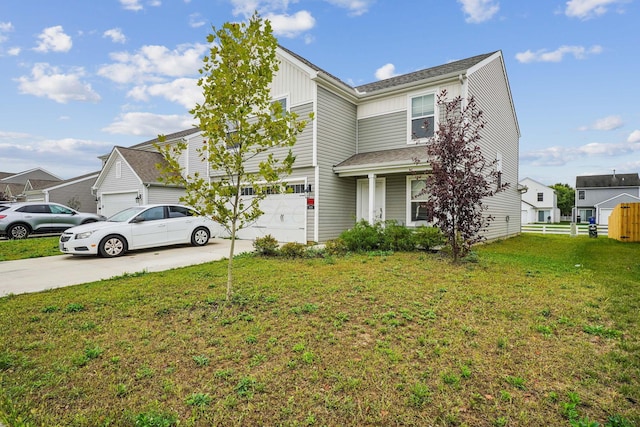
(48, 82)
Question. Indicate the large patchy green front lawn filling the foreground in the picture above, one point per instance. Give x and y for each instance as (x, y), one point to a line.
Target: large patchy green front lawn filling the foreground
(541, 330)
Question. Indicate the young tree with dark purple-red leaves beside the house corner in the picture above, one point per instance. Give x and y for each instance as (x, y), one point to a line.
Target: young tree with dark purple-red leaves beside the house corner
(460, 176)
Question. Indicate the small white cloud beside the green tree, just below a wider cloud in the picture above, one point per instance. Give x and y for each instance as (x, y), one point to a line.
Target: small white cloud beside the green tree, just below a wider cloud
(184, 91)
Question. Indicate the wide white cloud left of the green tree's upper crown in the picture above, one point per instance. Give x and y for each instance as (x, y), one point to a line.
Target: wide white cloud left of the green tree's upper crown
(154, 64)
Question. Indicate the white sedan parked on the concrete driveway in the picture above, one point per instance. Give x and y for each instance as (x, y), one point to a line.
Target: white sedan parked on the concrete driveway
(138, 227)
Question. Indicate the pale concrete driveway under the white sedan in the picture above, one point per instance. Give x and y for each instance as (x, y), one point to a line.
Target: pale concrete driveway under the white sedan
(38, 274)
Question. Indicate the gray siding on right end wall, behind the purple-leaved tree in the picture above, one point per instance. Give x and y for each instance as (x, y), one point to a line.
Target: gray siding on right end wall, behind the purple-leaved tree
(490, 88)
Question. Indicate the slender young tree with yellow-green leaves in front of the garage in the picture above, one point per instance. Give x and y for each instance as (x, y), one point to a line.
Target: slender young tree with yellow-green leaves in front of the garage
(240, 123)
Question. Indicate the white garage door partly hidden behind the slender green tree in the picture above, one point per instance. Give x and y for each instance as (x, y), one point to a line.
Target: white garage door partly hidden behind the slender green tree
(284, 218)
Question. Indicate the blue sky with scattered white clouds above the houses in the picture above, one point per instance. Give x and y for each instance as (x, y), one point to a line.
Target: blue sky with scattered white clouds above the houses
(78, 77)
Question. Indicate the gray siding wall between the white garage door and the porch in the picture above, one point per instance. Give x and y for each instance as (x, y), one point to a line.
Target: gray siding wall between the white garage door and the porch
(336, 133)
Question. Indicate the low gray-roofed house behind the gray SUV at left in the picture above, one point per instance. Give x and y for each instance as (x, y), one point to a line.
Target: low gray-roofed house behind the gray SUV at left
(74, 192)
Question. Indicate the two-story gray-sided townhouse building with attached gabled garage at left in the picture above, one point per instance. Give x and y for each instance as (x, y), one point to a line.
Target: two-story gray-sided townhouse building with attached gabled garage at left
(356, 159)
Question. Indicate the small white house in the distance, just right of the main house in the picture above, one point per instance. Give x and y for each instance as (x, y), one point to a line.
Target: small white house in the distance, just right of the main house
(539, 202)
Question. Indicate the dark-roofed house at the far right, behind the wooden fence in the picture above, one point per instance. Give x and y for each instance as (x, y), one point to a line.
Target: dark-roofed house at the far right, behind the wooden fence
(597, 195)
